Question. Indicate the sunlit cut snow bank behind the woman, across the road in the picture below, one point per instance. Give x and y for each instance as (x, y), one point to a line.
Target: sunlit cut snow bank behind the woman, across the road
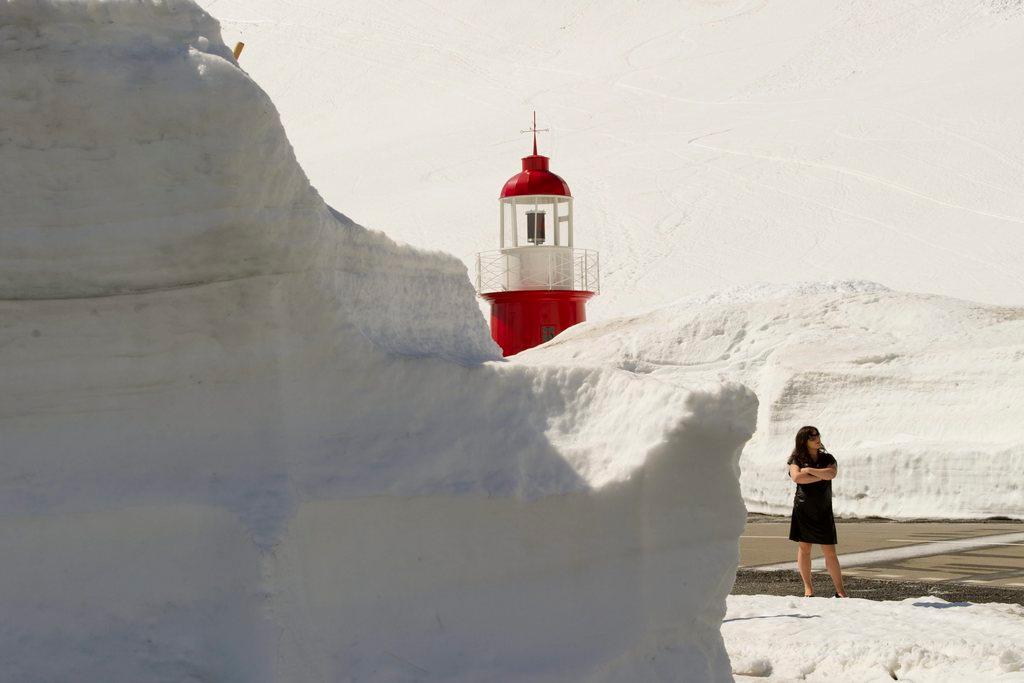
(920, 398)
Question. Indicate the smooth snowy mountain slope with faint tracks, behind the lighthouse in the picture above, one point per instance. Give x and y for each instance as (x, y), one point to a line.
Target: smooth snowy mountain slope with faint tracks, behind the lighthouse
(709, 145)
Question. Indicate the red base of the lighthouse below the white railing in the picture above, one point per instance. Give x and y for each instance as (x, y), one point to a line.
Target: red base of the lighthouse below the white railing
(526, 319)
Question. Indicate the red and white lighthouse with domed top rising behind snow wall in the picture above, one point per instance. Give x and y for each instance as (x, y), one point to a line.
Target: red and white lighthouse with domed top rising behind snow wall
(538, 283)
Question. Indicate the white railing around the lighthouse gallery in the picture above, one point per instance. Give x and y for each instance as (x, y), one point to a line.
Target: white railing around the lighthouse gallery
(538, 269)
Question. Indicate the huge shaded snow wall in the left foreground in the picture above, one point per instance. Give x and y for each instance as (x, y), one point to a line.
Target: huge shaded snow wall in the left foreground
(246, 440)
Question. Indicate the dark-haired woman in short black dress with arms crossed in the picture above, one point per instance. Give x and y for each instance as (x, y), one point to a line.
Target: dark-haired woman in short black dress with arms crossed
(813, 468)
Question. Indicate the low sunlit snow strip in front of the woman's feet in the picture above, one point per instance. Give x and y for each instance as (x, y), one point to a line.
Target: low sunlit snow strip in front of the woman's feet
(920, 639)
